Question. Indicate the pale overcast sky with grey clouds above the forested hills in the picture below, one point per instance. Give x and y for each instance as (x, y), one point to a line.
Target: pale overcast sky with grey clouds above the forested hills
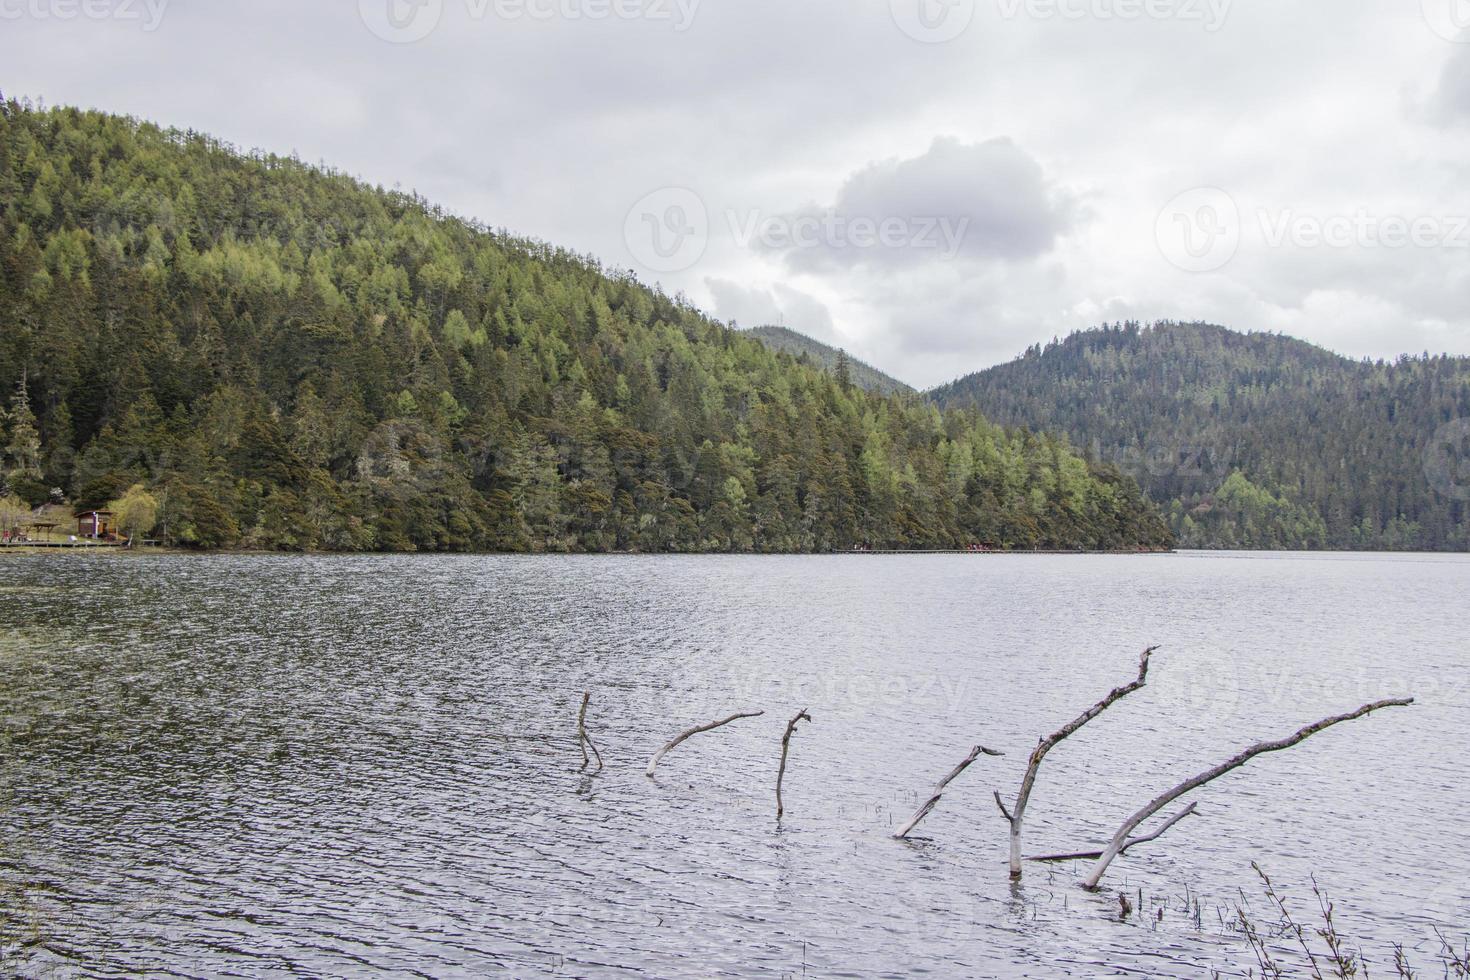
(933, 184)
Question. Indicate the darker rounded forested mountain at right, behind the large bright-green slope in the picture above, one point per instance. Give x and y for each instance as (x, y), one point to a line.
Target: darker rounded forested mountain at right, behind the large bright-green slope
(1255, 440)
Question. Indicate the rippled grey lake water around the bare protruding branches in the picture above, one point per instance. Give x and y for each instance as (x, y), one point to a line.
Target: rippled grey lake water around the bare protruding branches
(355, 766)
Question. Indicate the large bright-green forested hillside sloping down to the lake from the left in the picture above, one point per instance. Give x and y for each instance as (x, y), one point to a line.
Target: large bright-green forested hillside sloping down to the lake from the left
(289, 359)
